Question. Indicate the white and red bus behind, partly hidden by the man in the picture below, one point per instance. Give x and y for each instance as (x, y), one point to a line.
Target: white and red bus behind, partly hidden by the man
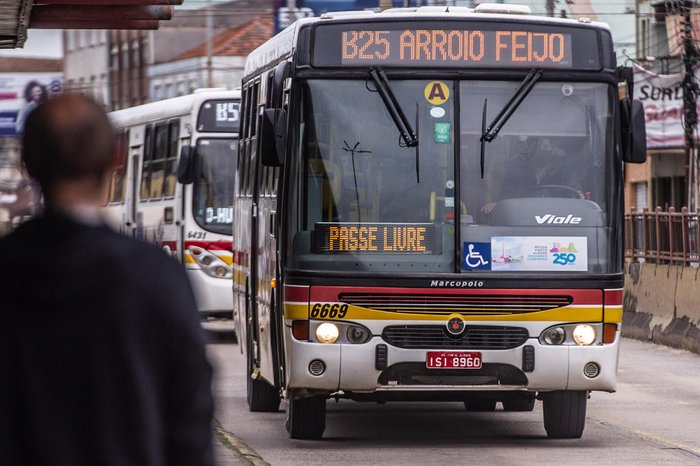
(173, 185)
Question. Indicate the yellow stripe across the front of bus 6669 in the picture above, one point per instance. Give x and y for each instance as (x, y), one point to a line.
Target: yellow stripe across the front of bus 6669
(579, 314)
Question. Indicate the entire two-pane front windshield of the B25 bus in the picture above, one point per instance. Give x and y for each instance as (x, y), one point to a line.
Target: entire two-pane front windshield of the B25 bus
(364, 201)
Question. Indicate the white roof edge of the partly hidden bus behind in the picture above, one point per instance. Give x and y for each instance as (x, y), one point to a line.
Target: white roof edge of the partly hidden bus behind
(168, 108)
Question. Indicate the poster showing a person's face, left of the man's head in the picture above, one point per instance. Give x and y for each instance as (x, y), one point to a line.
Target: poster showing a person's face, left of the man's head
(20, 93)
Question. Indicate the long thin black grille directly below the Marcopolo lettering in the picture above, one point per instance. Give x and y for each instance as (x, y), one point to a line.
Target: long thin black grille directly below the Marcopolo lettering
(445, 304)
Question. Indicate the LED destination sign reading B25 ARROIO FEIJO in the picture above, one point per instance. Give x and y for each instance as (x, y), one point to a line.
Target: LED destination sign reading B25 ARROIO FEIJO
(455, 45)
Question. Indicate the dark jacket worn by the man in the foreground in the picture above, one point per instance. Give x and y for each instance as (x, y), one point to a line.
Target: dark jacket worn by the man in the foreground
(102, 357)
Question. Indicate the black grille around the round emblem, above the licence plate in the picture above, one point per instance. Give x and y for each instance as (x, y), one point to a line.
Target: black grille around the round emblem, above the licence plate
(437, 337)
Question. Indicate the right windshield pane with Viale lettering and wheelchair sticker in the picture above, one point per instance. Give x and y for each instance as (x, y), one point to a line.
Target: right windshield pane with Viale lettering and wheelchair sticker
(542, 203)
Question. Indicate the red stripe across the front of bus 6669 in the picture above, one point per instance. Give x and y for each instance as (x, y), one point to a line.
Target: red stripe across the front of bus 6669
(580, 297)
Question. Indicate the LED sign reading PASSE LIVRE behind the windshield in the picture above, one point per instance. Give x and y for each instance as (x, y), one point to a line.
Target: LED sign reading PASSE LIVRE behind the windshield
(374, 238)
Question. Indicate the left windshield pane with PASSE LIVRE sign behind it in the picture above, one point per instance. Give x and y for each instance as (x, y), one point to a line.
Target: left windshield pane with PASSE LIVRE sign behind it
(364, 200)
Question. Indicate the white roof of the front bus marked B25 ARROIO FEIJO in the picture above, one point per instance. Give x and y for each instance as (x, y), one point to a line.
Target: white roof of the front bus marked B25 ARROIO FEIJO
(284, 43)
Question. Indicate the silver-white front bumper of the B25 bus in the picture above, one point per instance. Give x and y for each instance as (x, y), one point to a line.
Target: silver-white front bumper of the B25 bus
(353, 368)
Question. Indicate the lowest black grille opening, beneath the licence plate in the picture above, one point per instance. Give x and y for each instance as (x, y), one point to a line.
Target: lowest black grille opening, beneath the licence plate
(415, 373)
